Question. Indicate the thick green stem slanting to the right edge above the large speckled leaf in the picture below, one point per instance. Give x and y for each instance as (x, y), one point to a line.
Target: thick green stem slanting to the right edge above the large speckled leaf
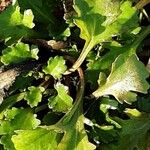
(139, 39)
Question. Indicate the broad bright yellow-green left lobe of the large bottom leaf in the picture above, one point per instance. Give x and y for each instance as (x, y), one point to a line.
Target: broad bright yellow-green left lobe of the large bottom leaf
(38, 139)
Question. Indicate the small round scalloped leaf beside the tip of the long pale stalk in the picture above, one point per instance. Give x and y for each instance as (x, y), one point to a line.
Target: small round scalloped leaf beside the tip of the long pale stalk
(55, 67)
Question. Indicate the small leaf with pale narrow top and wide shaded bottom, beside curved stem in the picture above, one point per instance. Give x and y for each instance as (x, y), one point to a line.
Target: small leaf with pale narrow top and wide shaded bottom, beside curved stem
(62, 102)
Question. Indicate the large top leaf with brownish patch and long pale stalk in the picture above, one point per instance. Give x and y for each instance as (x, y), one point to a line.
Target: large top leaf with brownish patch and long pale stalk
(99, 20)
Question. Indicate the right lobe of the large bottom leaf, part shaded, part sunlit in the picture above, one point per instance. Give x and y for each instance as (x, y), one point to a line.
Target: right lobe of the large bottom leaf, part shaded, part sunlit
(75, 135)
